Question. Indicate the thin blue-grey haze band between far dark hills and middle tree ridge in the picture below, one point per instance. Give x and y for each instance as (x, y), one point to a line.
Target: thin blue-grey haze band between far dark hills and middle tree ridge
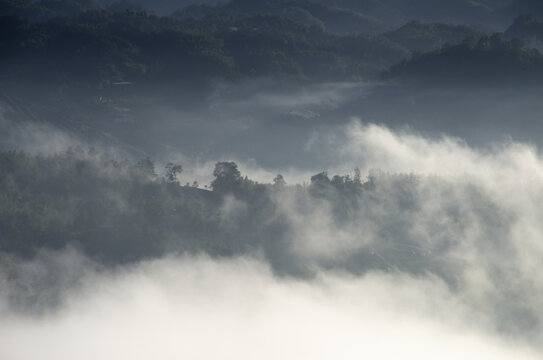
(267, 123)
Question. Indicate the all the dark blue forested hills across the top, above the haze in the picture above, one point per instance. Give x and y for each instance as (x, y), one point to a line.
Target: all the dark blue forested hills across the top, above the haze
(90, 44)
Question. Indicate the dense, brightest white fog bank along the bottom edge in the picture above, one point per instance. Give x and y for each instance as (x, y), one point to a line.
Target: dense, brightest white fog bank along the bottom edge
(203, 309)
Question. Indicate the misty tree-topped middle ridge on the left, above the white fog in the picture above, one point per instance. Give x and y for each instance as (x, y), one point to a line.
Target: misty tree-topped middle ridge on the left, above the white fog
(118, 211)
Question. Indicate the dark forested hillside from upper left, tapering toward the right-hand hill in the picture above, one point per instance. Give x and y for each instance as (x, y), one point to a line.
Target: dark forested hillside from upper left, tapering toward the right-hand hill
(96, 48)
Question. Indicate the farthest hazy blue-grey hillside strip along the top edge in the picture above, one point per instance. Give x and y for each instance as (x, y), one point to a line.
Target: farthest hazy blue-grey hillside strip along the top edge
(335, 15)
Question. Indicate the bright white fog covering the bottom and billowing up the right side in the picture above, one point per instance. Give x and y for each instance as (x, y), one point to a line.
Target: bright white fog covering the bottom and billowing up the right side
(438, 257)
